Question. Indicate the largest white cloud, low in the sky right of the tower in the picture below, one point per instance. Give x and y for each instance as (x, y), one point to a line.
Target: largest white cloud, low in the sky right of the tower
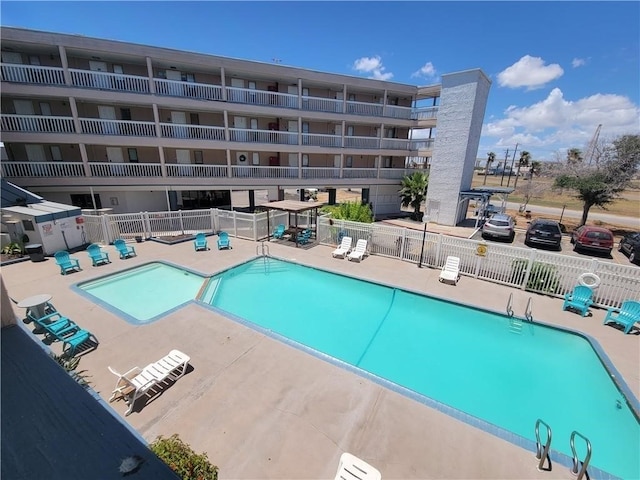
(556, 122)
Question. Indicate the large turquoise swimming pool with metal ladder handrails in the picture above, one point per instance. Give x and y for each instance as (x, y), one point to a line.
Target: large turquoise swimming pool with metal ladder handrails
(466, 358)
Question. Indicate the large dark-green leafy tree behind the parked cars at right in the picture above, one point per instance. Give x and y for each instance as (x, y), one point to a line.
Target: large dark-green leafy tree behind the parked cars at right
(599, 184)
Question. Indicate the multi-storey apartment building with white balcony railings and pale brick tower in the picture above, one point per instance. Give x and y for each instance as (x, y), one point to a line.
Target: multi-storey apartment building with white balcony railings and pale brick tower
(105, 124)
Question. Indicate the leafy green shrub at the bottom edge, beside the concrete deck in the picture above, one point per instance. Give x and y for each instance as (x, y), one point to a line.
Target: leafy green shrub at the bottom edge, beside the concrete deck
(183, 460)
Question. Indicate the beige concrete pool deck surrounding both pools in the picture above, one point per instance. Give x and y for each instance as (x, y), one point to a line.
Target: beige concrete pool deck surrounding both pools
(262, 409)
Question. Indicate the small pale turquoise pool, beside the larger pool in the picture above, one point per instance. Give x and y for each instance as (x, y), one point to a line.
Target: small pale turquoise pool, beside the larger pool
(143, 293)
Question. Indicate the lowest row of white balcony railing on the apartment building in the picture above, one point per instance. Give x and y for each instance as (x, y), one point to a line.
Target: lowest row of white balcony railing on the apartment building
(154, 170)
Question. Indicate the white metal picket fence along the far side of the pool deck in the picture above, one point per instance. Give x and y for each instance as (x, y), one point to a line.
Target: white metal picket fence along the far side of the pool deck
(533, 270)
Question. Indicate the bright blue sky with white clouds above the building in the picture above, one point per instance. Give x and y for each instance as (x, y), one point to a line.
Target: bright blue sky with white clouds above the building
(558, 69)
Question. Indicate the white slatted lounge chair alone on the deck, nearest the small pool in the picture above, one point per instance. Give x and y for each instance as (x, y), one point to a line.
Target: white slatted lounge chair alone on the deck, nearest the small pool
(138, 382)
